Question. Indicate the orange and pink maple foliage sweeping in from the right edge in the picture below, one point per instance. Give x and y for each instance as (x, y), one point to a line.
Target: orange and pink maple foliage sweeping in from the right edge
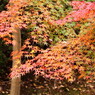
(76, 54)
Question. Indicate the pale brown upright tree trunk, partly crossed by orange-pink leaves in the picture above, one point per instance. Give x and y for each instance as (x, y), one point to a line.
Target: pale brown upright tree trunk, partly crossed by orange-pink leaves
(15, 82)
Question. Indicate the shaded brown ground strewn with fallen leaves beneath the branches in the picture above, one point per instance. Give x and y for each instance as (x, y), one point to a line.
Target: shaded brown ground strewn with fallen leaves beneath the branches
(40, 86)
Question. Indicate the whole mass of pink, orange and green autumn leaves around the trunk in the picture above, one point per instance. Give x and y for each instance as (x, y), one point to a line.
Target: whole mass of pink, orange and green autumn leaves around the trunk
(71, 59)
